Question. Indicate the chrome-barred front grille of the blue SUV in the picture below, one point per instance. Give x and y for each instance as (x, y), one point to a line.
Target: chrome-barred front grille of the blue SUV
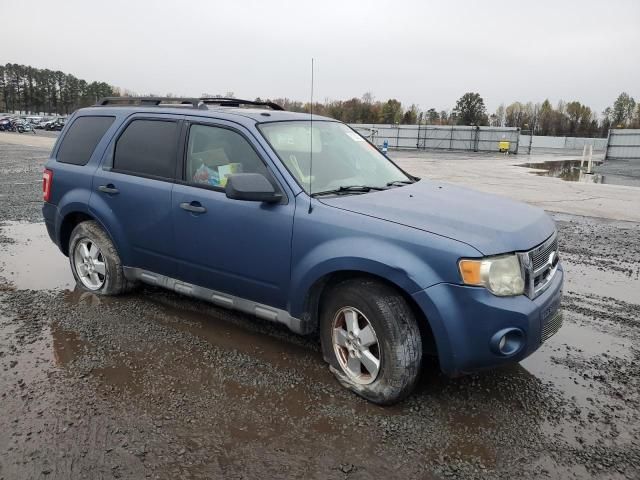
(540, 265)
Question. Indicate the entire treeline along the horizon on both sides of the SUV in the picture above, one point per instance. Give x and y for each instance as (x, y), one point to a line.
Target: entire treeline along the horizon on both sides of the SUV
(33, 90)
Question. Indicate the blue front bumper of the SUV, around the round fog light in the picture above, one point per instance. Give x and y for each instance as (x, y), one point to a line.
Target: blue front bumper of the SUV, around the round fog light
(465, 319)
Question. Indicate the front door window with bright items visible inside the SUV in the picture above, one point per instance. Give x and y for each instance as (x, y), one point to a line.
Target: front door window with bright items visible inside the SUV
(213, 153)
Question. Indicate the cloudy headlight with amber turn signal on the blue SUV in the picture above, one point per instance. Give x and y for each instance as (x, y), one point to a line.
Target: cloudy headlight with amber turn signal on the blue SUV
(501, 275)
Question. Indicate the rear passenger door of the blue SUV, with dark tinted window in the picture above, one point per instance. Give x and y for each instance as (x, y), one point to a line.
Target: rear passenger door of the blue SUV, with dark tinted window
(132, 191)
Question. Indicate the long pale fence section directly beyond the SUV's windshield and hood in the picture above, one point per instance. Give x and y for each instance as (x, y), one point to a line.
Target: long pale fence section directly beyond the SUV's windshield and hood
(436, 137)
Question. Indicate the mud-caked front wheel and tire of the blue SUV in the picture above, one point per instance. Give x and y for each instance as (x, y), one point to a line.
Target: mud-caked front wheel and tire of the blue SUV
(398, 346)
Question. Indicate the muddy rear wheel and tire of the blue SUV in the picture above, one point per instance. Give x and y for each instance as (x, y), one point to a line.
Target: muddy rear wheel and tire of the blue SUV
(104, 262)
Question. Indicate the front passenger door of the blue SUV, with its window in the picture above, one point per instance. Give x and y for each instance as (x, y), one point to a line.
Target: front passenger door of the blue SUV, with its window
(238, 247)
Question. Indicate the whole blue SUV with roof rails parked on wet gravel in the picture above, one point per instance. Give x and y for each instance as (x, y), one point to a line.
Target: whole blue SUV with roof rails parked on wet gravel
(298, 219)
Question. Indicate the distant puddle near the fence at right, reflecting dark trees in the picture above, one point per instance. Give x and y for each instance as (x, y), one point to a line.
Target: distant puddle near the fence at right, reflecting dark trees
(571, 171)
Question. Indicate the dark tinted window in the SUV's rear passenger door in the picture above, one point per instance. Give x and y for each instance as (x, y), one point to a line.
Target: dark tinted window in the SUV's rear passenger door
(147, 147)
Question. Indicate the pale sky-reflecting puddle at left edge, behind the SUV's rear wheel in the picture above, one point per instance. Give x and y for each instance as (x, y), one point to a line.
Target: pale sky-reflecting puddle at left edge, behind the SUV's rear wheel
(32, 261)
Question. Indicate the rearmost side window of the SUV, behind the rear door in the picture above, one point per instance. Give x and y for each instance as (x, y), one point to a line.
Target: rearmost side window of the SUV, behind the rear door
(80, 141)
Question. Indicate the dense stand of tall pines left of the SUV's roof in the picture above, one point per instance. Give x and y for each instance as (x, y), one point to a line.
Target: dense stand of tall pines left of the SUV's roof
(35, 90)
